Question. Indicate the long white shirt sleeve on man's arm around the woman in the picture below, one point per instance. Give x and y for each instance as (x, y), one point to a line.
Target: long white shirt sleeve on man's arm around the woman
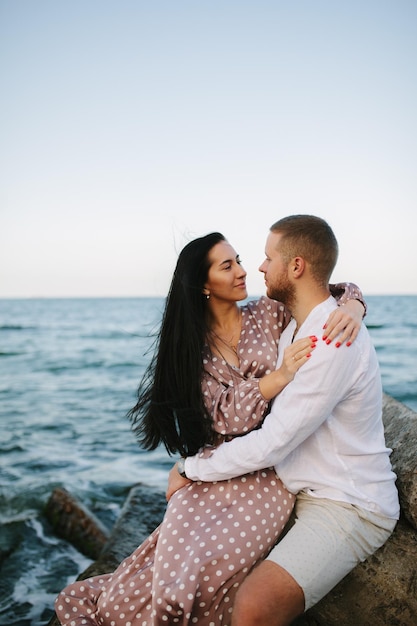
(295, 414)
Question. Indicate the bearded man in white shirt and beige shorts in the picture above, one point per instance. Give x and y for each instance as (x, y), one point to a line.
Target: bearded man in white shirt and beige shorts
(324, 436)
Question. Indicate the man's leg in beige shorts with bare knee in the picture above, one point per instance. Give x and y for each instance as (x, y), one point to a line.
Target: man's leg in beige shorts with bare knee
(326, 542)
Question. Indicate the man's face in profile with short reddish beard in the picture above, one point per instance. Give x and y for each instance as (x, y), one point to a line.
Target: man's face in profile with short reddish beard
(275, 270)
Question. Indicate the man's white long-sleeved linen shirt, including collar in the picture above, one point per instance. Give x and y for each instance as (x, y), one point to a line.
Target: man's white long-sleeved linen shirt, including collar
(324, 434)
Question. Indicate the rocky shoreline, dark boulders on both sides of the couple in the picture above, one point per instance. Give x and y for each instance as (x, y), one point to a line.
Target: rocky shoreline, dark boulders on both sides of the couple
(382, 591)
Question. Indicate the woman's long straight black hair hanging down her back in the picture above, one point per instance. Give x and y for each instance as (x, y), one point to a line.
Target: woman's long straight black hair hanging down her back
(170, 408)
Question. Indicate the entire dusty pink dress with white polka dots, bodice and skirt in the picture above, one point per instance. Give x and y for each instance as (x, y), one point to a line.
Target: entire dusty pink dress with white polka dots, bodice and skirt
(212, 534)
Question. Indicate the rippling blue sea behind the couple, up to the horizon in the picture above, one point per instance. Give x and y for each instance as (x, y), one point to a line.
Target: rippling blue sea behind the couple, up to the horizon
(69, 371)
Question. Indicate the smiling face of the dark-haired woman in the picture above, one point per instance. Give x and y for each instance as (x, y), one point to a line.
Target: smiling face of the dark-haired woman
(226, 278)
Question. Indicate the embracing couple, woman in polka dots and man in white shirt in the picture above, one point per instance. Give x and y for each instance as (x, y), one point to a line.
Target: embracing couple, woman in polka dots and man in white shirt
(257, 436)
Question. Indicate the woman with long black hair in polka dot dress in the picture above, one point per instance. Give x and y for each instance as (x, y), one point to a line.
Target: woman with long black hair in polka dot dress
(212, 377)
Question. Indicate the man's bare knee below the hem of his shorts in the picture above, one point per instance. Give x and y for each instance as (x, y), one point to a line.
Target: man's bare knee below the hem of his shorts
(268, 597)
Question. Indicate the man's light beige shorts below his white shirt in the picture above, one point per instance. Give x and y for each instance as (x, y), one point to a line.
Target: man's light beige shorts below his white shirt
(328, 539)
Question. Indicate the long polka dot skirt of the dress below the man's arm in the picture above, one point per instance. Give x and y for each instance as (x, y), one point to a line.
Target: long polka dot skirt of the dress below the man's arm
(189, 569)
